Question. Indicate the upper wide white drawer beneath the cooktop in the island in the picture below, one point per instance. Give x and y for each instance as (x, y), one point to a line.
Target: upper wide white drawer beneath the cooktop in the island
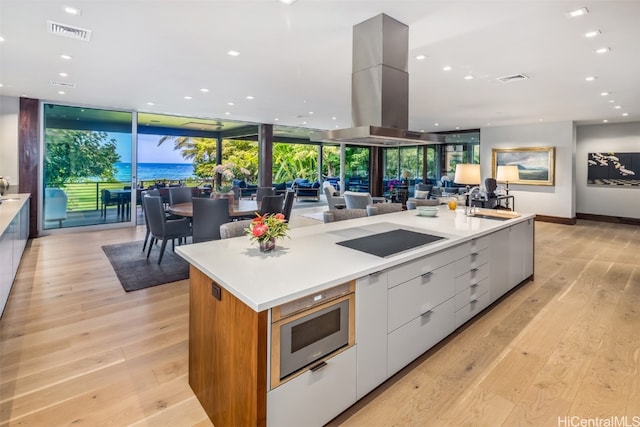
(419, 295)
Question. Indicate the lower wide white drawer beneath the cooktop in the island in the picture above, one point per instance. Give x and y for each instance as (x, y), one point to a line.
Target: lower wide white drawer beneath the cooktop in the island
(414, 338)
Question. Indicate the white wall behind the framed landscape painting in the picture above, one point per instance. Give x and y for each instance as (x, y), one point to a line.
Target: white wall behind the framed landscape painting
(558, 200)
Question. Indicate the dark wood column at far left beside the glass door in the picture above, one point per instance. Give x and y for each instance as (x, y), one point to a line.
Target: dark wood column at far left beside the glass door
(29, 157)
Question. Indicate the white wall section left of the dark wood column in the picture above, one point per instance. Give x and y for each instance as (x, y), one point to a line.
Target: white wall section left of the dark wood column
(9, 108)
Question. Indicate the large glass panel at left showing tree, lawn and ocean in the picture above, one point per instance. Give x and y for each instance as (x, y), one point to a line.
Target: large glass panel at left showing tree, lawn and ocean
(87, 173)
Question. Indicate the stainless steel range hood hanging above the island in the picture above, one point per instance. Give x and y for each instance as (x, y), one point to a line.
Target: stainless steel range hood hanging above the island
(379, 89)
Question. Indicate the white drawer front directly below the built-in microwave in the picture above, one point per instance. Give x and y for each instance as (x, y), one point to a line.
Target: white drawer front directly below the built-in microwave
(314, 398)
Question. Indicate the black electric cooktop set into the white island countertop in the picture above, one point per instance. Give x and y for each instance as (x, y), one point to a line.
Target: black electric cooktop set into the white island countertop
(390, 242)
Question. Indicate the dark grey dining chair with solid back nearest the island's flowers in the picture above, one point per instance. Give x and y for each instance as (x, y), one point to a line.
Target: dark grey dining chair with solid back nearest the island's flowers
(208, 216)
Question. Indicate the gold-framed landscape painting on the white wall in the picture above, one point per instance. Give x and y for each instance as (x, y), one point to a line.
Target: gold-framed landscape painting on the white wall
(536, 165)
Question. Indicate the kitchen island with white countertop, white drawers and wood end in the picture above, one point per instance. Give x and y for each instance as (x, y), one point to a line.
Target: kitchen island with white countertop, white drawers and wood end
(404, 304)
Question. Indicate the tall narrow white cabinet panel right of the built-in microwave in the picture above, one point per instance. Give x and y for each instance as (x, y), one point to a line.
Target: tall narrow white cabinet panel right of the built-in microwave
(371, 332)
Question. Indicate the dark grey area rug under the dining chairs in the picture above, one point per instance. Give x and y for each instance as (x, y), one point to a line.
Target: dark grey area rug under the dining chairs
(136, 272)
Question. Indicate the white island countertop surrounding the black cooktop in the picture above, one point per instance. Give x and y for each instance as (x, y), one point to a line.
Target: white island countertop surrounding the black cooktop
(310, 260)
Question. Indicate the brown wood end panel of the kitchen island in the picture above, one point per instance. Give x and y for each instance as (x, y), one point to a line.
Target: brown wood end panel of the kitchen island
(227, 355)
